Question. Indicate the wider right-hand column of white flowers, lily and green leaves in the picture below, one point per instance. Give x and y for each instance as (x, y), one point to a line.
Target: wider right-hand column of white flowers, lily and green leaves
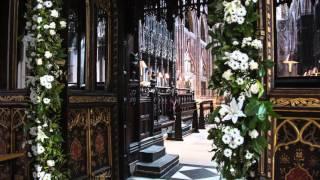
(240, 124)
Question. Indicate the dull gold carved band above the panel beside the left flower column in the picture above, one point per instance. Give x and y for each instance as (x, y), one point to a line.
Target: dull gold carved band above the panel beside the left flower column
(92, 99)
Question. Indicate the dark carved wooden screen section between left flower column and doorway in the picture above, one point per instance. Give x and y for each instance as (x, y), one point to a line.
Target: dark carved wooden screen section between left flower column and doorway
(91, 90)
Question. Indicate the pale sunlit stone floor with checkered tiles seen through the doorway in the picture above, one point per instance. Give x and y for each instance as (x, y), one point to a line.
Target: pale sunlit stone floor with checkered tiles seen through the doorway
(195, 158)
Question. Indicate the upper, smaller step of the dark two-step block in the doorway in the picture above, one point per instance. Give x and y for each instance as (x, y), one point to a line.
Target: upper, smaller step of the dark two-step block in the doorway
(152, 153)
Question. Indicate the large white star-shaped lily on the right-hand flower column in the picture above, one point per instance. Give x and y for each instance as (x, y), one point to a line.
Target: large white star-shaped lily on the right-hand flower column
(233, 111)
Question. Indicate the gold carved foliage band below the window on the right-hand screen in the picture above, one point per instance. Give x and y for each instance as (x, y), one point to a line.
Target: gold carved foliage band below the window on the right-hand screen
(296, 102)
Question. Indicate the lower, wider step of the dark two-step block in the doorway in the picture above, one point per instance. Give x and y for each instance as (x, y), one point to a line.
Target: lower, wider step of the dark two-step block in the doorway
(158, 168)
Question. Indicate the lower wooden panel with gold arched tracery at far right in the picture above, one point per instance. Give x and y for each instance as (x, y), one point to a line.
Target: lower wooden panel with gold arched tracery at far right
(297, 148)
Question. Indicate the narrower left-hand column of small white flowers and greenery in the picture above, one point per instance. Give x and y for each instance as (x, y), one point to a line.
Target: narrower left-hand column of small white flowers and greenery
(44, 57)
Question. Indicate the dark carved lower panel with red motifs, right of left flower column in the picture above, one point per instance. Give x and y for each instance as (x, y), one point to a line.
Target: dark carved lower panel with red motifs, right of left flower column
(89, 142)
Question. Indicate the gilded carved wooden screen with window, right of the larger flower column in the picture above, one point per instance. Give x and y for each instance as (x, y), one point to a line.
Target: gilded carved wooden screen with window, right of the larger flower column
(293, 148)
